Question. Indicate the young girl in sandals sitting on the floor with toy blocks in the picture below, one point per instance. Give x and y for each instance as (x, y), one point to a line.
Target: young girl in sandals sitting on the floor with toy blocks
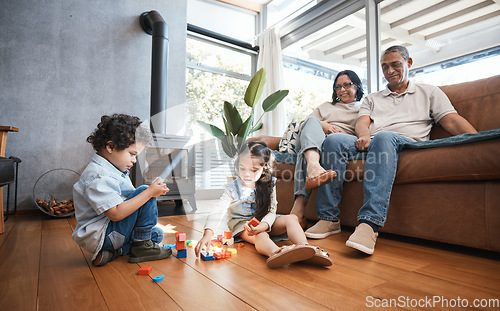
(253, 194)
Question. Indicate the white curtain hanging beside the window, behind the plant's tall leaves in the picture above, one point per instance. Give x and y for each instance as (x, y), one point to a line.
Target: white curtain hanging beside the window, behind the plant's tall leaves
(274, 122)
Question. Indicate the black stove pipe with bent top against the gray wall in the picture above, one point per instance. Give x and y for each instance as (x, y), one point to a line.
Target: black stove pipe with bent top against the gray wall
(152, 23)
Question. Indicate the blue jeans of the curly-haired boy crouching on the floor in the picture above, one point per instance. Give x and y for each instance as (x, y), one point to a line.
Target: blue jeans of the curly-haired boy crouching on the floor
(139, 225)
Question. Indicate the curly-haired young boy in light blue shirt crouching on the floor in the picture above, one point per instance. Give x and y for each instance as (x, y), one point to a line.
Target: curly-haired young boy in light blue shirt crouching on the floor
(113, 217)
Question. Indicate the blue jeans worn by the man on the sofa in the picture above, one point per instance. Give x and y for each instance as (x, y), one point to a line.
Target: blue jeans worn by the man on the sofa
(381, 163)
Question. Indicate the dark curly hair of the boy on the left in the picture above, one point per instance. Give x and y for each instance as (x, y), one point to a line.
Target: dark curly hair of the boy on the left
(121, 130)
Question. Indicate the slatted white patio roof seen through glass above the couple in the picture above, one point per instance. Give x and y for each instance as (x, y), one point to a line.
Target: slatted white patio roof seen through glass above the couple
(433, 30)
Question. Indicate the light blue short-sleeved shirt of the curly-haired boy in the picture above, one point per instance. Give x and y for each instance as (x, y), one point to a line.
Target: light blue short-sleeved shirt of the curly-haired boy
(100, 187)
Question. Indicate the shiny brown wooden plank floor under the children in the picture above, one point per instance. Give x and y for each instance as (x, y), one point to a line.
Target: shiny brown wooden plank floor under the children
(41, 268)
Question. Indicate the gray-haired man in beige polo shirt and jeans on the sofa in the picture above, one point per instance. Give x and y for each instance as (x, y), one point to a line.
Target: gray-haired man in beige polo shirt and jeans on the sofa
(404, 112)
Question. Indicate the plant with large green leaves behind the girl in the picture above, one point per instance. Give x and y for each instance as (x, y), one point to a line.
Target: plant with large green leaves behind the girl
(236, 130)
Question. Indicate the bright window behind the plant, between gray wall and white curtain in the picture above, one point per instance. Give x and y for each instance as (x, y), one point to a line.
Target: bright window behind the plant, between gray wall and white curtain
(216, 72)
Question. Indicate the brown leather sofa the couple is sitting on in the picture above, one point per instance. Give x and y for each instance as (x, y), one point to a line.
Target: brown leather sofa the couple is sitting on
(448, 194)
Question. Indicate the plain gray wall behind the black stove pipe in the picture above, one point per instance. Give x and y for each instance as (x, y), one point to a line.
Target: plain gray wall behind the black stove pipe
(65, 63)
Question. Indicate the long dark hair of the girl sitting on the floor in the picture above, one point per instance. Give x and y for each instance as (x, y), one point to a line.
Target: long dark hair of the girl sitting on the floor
(264, 186)
